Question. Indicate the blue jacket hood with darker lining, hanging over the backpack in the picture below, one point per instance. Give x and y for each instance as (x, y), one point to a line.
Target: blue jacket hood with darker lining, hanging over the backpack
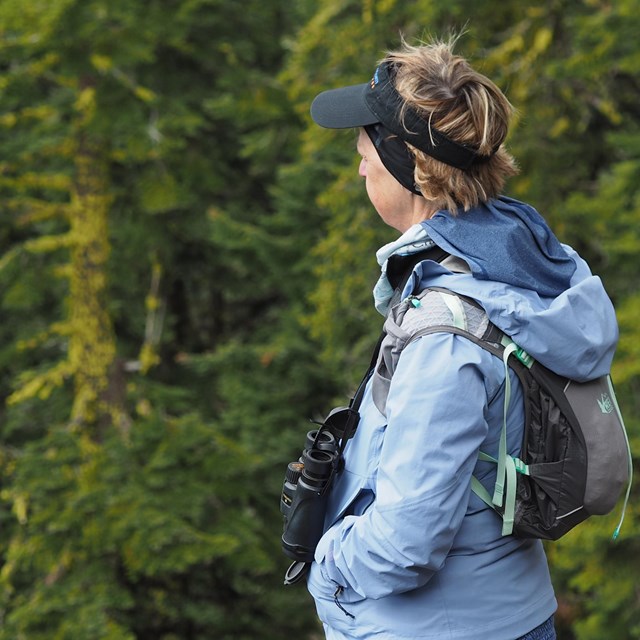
(535, 289)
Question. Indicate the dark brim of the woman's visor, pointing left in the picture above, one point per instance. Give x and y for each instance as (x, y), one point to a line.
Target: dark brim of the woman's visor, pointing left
(343, 108)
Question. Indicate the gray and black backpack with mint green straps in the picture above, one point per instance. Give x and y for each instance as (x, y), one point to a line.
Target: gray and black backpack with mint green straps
(575, 459)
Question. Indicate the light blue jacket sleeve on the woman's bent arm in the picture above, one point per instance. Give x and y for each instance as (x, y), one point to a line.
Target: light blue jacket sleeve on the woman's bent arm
(436, 412)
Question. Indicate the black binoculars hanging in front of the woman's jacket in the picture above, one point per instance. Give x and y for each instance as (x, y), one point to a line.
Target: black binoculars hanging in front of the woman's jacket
(304, 495)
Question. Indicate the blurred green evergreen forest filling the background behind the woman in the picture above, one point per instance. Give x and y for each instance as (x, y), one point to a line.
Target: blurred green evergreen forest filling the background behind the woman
(186, 266)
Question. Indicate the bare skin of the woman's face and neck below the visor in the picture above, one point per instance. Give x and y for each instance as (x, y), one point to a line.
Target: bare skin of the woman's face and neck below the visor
(397, 206)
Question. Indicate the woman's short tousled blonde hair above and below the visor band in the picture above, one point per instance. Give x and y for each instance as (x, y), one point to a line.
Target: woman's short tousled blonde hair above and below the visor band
(465, 106)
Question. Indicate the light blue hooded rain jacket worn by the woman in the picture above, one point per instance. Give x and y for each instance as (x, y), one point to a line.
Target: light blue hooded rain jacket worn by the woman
(409, 551)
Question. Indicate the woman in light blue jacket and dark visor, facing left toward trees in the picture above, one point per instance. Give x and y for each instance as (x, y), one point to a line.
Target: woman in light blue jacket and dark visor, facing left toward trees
(409, 551)
